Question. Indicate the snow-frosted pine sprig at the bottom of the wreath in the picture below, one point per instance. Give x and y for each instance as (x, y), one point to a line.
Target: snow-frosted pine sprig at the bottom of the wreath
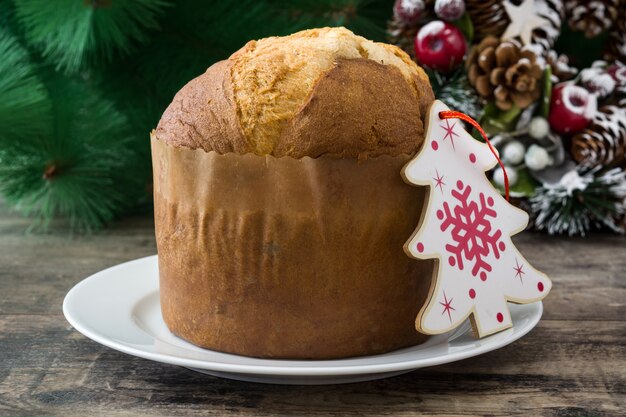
(580, 200)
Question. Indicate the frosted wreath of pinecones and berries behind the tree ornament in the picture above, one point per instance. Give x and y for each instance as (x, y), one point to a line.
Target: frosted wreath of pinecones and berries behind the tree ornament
(536, 85)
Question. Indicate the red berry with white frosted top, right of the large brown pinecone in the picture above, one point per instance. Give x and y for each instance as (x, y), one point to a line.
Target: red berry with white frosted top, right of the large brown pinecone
(571, 108)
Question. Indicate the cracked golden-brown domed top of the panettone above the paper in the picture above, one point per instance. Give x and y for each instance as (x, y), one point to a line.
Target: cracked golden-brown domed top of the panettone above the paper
(317, 92)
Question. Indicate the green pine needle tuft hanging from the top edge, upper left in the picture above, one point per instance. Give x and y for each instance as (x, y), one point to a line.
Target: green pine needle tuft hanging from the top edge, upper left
(71, 32)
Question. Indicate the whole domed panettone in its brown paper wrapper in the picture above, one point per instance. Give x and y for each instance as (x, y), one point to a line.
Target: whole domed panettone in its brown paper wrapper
(279, 206)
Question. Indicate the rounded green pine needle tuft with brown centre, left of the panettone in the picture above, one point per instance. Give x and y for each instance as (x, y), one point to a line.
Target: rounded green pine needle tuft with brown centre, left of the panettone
(83, 171)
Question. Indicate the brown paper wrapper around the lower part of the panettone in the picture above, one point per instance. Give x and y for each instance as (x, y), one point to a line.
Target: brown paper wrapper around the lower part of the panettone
(284, 257)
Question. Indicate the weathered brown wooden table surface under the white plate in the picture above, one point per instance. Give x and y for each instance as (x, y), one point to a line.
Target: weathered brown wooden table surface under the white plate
(573, 363)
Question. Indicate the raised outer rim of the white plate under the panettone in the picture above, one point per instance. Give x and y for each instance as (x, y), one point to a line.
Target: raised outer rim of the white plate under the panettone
(274, 370)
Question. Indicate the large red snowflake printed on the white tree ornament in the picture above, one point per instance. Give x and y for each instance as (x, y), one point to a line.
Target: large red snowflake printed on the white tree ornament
(472, 231)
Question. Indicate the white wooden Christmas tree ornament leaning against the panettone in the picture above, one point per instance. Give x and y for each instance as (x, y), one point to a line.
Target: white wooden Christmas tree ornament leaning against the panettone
(467, 226)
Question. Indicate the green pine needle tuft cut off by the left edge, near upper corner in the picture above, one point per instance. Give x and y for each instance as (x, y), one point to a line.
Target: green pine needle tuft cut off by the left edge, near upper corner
(24, 104)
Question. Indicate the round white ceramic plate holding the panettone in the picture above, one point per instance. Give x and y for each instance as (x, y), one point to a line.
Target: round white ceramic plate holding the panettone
(119, 308)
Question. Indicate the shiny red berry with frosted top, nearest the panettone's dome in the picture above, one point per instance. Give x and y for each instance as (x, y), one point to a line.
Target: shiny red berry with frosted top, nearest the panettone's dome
(440, 46)
